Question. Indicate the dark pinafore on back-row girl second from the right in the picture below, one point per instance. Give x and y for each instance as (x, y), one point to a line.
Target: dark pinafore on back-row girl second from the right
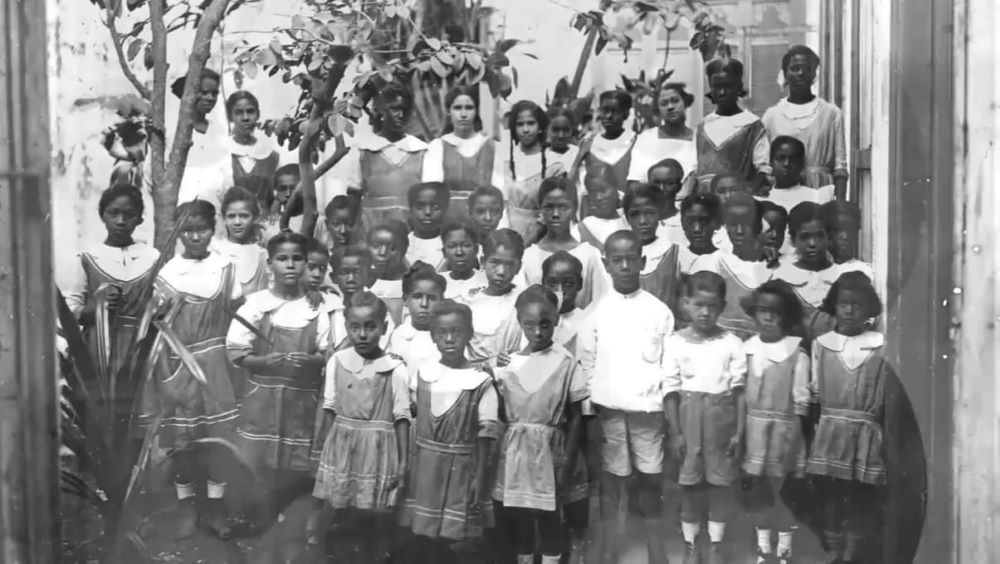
(734, 156)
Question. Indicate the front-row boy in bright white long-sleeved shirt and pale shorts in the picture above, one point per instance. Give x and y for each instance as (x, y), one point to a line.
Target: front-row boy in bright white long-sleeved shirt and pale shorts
(625, 336)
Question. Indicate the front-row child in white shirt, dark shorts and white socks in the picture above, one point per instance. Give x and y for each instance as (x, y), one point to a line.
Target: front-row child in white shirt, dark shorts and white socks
(705, 375)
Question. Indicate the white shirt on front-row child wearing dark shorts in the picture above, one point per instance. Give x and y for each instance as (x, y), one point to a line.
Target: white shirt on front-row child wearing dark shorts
(713, 366)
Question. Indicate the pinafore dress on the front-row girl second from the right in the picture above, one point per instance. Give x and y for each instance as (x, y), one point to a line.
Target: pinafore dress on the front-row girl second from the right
(775, 445)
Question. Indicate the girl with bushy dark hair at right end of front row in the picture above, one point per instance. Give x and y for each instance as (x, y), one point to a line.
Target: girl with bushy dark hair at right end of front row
(852, 381)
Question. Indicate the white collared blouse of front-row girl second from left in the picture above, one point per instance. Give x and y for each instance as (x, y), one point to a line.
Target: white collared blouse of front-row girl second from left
(447, 384)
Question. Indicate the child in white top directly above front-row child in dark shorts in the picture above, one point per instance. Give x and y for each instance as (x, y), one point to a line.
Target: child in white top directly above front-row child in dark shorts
(701, 218)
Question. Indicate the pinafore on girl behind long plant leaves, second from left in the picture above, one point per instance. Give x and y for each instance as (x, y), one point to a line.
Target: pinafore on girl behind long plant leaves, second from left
(192, 410)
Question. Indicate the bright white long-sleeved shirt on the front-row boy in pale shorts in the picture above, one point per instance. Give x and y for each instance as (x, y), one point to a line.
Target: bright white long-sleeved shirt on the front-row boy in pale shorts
(621, 351)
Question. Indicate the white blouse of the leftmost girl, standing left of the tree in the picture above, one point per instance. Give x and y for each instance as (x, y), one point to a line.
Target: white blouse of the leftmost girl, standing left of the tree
(121, 263)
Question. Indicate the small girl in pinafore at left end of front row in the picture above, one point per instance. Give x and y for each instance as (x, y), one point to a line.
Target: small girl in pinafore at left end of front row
(366, 406)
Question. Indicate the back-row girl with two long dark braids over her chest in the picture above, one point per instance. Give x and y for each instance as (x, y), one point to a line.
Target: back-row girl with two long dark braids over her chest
(528, 164)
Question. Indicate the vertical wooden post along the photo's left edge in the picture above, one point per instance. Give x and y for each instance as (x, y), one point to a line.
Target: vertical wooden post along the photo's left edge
(29, 432)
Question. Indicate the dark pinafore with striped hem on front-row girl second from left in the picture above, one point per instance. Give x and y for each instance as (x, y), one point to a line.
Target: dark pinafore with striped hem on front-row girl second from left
(442, 468)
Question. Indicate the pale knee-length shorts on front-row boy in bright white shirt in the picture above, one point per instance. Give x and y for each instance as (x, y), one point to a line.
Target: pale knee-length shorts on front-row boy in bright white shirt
(631, 438)
